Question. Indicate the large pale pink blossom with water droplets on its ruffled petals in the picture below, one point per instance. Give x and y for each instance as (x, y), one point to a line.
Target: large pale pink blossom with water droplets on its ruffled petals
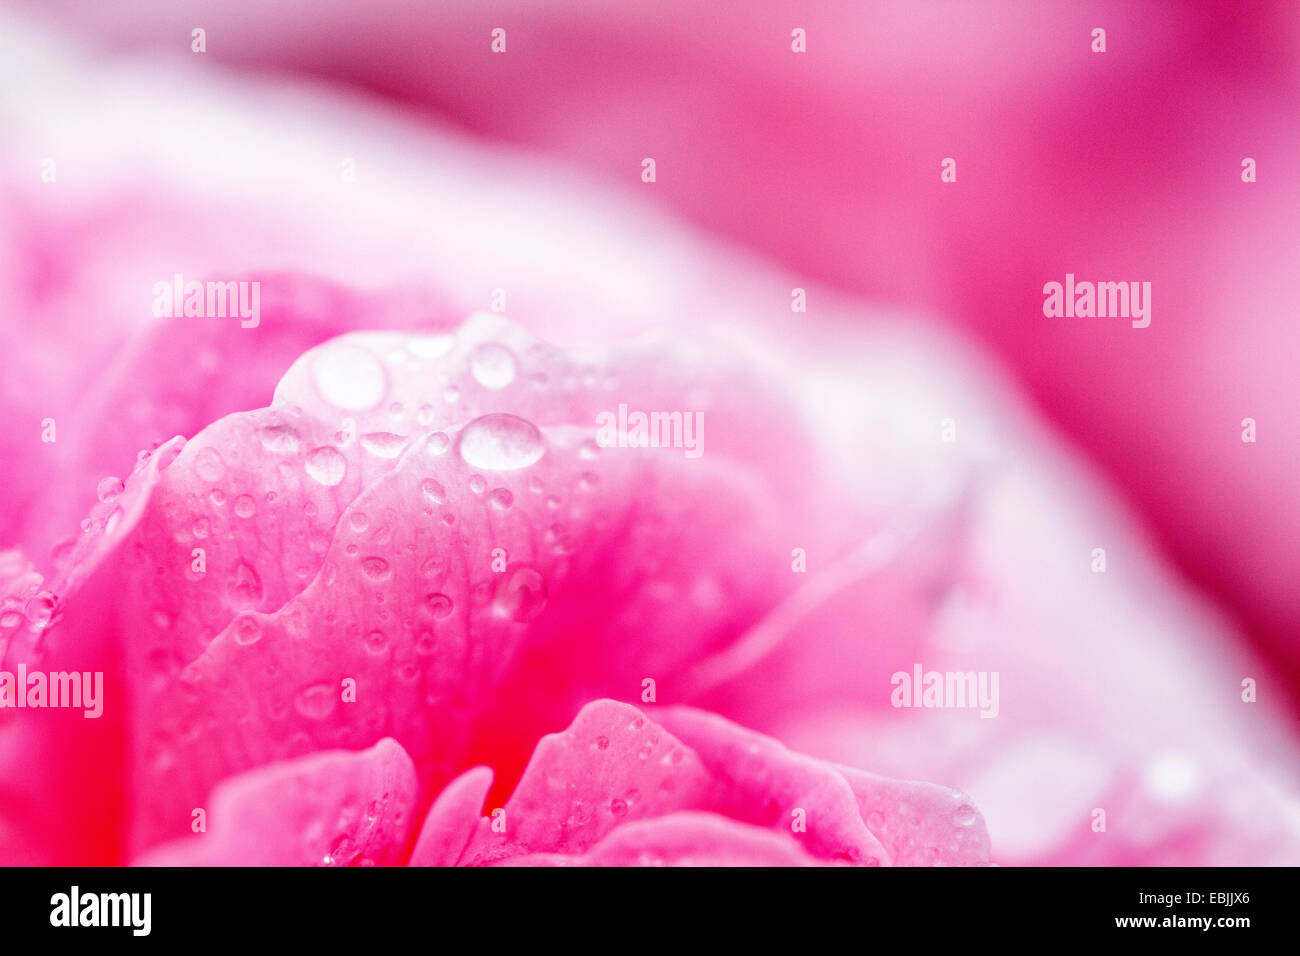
(350, 574)
